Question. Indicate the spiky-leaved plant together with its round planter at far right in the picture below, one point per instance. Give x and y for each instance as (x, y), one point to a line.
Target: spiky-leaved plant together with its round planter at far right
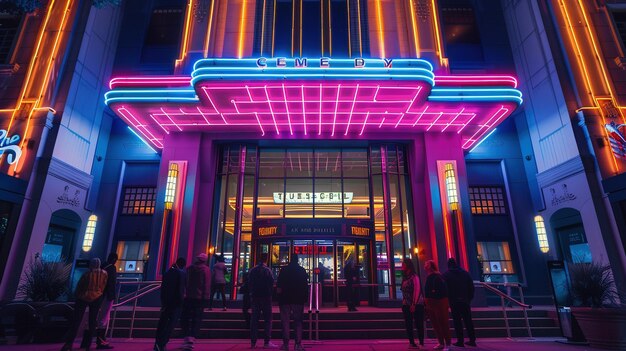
(597, 306)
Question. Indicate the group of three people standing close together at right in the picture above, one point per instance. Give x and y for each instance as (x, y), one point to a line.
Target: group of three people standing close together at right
(452, 290)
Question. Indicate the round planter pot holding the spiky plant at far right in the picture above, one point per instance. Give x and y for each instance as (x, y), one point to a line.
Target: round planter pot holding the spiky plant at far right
(603, 327)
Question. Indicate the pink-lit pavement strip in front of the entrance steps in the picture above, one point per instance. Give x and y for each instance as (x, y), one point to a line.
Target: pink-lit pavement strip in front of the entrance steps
(500, 344)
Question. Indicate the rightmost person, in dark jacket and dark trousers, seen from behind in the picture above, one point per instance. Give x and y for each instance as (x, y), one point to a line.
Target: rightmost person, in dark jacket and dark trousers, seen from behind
(460, 294)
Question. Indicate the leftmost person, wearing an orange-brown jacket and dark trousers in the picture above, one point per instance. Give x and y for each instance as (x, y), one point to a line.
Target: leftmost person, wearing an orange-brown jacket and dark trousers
(88, 293)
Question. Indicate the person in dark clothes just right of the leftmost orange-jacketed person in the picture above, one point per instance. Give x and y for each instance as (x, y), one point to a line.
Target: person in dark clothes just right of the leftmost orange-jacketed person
(107, 302)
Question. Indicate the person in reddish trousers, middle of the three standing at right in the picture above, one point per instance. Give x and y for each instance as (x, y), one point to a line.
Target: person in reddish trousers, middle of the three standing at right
(436, 304)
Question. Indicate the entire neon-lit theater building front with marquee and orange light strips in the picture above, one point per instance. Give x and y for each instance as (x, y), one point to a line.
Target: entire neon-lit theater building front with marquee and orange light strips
(363, 130)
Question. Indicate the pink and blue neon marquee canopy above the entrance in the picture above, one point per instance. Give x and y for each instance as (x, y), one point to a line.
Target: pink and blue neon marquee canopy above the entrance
(314, 98)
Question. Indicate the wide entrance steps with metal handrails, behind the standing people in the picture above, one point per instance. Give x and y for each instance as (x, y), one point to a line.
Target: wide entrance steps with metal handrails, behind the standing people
(336, 323)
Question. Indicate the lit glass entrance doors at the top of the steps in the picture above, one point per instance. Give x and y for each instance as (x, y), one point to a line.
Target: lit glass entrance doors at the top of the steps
(324, 261)
